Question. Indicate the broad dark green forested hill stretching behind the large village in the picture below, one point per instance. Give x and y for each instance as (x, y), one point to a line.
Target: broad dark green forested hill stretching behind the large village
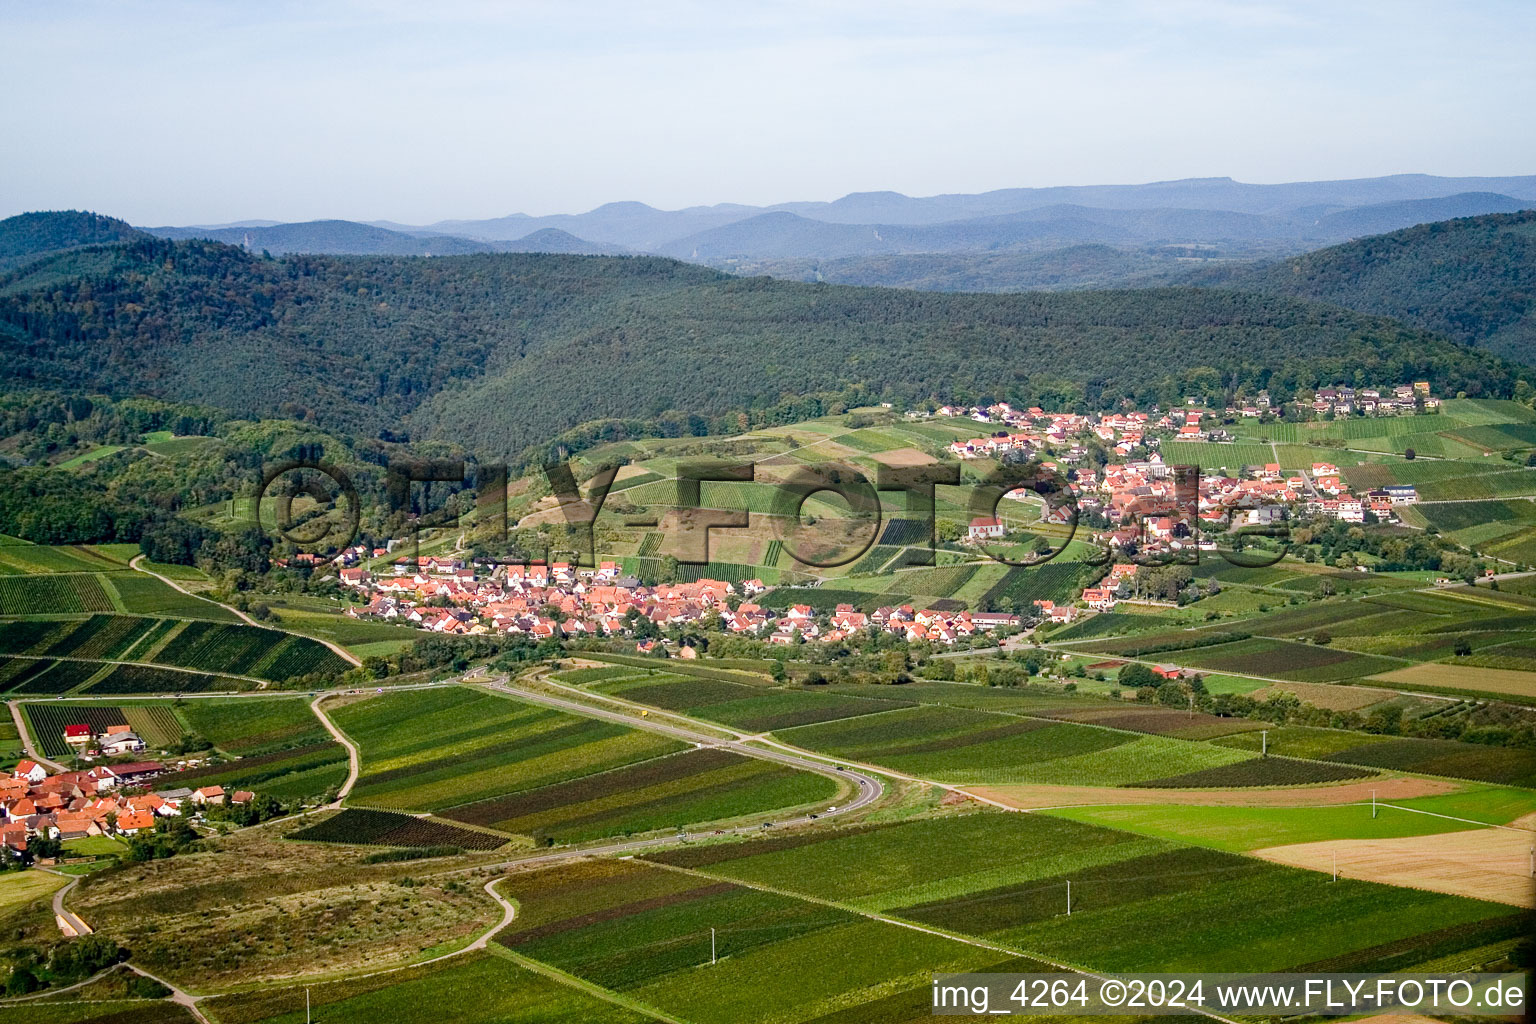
(508, 351)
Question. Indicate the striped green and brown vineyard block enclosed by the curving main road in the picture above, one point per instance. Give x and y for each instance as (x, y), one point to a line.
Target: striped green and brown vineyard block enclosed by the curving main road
(497, 762)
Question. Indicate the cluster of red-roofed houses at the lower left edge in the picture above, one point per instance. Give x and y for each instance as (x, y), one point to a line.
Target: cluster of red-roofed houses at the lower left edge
(104, 801)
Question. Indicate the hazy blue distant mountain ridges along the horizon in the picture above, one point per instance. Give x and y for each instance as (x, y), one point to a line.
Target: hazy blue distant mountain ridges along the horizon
(866, 233)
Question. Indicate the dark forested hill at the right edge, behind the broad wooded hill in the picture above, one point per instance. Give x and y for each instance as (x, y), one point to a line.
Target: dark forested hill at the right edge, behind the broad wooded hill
(1472, 280)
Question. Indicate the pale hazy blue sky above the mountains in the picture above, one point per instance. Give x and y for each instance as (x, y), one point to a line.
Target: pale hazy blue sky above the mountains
(428, 110)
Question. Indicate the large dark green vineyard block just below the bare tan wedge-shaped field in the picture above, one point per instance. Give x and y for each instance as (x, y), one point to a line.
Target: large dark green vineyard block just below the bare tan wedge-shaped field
(1191, 908)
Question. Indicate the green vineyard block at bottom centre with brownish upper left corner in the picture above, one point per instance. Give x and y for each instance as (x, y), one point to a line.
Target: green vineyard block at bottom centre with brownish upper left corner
(644, 933)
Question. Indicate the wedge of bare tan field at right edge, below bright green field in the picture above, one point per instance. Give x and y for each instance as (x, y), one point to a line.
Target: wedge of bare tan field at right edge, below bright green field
(1486, 864)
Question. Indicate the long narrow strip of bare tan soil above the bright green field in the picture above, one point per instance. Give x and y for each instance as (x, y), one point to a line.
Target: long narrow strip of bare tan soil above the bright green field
(1388, 790)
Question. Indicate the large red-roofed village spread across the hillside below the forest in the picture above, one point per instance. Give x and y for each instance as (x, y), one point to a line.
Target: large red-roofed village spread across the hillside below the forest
(1139, 507)
